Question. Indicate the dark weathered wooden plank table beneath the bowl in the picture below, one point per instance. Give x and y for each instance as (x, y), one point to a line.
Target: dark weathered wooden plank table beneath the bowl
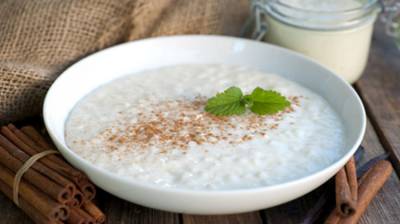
(380, 91)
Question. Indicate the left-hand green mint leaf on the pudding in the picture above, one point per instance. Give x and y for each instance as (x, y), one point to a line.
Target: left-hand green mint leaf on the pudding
(227, 103)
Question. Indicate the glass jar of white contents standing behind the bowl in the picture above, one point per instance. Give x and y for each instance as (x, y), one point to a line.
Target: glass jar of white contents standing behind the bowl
(336, 33)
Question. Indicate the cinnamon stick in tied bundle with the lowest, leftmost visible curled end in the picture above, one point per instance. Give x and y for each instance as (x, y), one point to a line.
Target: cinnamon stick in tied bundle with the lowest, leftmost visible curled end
(45, 205)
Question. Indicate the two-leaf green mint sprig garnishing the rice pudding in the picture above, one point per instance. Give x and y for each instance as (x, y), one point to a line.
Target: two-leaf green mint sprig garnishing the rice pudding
(233, 102)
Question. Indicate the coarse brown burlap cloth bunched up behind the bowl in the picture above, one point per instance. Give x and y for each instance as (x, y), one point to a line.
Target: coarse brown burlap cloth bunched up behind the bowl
(40, 38)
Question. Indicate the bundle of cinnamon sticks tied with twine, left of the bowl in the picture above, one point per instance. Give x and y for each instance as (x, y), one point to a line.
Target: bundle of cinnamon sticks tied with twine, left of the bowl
(49, 183)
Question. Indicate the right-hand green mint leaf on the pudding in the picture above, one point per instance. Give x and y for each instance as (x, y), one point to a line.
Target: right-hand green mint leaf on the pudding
(267, 101)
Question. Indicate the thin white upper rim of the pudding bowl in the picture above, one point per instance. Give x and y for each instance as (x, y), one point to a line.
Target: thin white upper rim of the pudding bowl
(64, 149)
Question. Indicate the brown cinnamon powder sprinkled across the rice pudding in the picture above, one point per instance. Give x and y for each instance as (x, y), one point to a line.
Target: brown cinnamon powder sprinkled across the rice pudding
(175, 124)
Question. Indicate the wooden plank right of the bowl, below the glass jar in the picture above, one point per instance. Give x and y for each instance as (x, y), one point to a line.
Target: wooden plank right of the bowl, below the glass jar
(380, 89)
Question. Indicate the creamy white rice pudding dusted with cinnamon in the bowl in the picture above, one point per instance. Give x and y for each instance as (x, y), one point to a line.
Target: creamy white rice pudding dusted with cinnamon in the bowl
(152, 127)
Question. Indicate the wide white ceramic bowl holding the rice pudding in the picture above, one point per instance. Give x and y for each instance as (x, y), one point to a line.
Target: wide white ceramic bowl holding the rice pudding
(101, 67)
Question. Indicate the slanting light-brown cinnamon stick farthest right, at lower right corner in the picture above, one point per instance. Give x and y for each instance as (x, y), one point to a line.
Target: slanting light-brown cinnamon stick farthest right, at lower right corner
(370, 184)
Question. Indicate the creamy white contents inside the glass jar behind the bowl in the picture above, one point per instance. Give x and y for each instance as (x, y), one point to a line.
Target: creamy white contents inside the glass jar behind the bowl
(344, 51)
